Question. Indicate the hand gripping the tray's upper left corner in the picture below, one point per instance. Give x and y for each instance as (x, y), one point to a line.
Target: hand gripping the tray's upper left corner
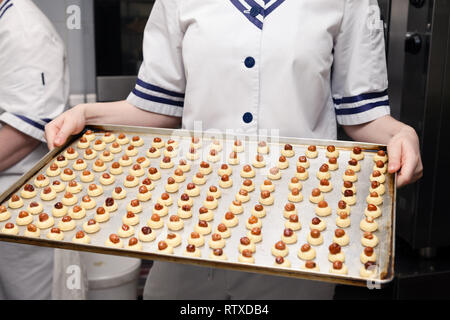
(70, 122)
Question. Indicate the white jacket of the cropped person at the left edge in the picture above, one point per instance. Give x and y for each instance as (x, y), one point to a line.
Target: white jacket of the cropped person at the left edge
(34, 79)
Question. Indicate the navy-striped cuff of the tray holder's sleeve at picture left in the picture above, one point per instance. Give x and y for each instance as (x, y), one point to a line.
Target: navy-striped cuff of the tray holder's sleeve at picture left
(155, 99)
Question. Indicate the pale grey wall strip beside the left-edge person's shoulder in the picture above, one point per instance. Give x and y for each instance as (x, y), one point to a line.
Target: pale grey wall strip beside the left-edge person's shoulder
(74, 20)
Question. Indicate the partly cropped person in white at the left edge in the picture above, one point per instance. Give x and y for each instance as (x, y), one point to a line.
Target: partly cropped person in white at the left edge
(33, 91)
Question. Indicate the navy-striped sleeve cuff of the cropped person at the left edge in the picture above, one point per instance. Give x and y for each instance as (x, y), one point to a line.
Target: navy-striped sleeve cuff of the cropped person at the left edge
(34, 128)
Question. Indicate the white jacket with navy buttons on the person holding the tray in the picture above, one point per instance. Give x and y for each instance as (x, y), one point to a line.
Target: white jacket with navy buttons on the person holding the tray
(293, 65)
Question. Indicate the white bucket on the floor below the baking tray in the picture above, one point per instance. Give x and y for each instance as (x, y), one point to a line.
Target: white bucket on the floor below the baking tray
(111, 277)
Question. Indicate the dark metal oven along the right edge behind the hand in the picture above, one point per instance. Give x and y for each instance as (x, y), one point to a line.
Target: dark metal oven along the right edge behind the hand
(419, 72)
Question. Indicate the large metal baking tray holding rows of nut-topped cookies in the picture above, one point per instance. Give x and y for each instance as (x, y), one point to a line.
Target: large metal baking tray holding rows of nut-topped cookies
(272, 223)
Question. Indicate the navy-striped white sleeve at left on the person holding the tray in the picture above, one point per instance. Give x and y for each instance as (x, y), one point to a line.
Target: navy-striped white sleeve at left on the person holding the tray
(161, 81)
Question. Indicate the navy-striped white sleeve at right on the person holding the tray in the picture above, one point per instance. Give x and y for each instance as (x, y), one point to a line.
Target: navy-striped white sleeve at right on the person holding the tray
(359, 79)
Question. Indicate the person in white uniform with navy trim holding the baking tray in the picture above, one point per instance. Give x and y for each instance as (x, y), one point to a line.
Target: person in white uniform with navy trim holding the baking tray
(296, 67)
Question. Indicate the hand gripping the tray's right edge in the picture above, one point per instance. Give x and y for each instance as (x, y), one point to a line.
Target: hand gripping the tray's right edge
(404, 155)
